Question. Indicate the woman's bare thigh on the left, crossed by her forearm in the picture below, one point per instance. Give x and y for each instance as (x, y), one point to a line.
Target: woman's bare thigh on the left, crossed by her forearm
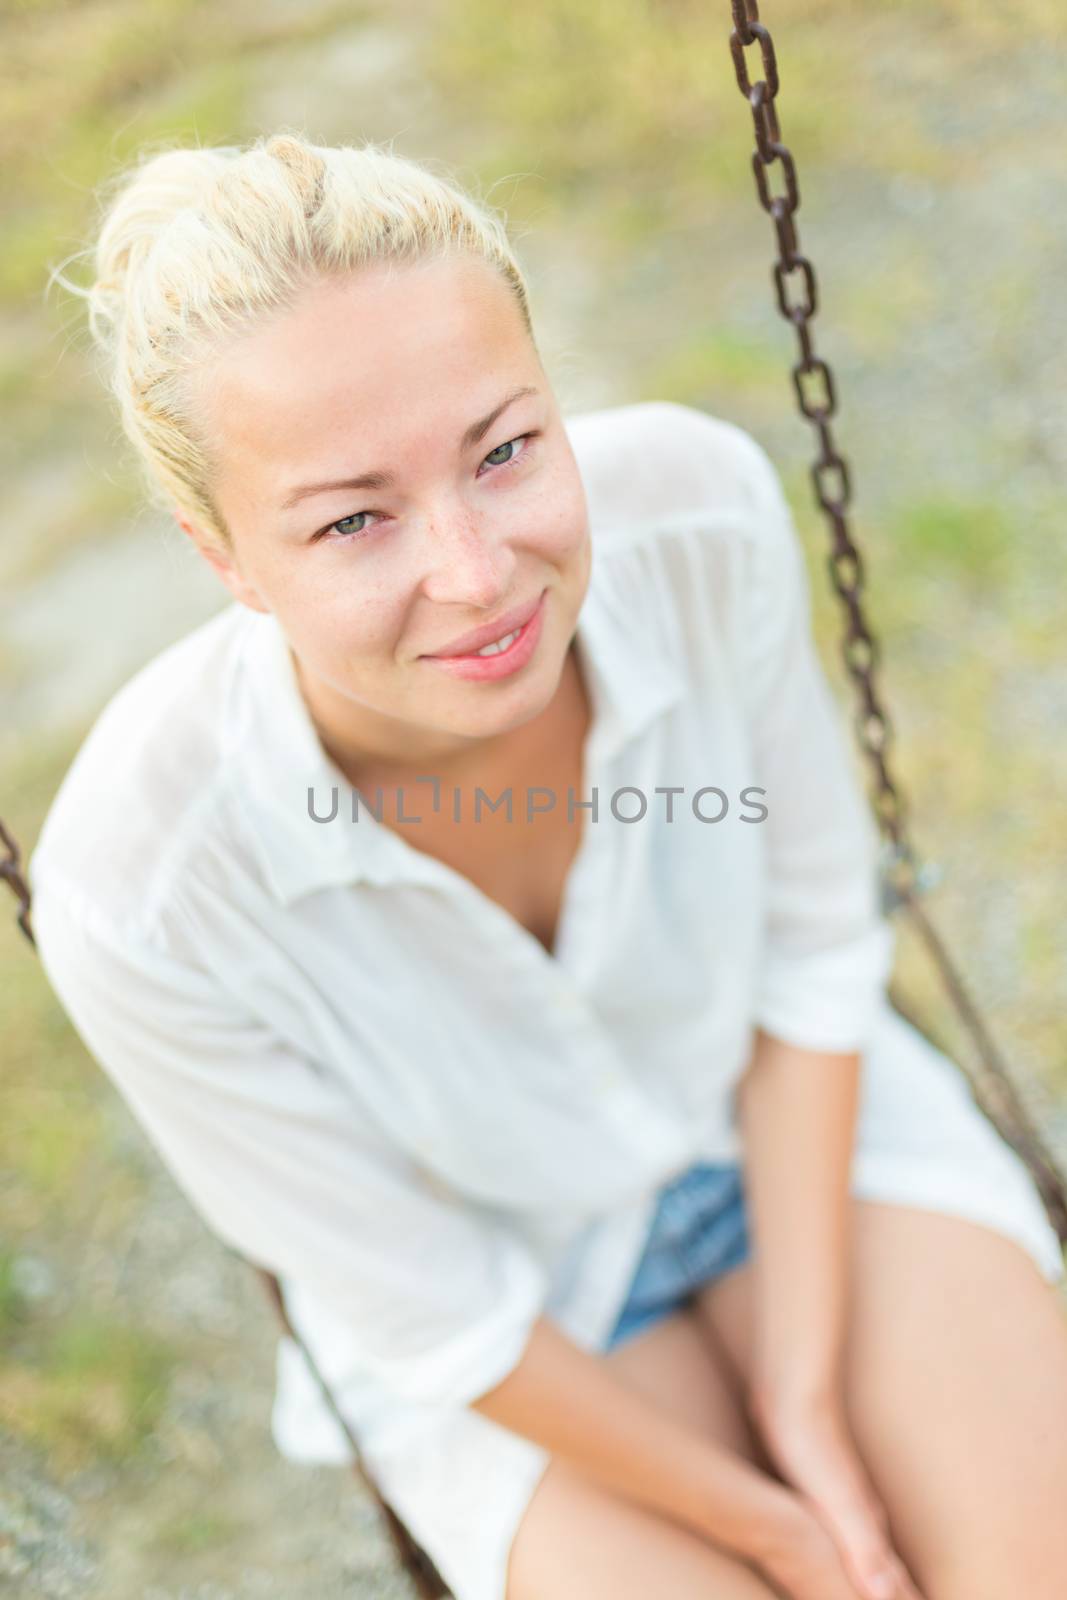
(578, 1538)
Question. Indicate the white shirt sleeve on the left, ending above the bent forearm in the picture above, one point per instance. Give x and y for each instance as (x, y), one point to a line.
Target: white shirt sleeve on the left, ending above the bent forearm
(282, 1164)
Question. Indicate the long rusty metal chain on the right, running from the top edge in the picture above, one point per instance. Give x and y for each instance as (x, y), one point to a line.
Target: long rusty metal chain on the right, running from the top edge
(903, 878)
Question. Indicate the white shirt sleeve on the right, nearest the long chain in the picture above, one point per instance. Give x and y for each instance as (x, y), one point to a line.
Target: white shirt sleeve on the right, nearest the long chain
(828, 945)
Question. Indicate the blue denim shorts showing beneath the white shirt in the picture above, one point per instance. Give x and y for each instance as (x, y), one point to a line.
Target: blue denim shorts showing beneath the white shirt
(697, 1234)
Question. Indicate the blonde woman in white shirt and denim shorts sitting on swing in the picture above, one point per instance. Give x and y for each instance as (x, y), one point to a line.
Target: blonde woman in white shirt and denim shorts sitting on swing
(481, 916)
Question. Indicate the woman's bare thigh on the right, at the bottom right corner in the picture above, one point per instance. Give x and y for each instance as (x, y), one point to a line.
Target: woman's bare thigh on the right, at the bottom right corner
(957, 1391)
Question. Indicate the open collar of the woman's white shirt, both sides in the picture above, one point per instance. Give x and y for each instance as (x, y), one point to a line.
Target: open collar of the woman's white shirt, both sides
(278, 754)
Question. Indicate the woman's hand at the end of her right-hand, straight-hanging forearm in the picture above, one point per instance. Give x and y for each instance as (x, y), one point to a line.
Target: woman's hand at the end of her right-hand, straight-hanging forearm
(812, 1447)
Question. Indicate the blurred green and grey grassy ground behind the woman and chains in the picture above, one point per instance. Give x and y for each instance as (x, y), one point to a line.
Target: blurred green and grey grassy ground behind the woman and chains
(137, 1353)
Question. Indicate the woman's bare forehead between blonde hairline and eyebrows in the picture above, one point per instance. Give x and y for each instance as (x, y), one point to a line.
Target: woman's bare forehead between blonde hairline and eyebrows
(388, 354)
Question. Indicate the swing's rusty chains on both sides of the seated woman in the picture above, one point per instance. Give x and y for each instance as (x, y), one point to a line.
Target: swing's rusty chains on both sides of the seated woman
(903, 878)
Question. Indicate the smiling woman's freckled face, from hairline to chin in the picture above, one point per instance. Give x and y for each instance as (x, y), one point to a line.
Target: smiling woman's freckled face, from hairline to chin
(471, 510)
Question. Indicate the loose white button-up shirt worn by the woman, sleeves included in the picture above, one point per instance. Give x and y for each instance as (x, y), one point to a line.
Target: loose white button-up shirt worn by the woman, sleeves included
(372, 1079)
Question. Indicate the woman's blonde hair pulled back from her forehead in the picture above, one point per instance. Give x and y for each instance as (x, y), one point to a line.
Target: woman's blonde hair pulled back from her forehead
(198, 244)
